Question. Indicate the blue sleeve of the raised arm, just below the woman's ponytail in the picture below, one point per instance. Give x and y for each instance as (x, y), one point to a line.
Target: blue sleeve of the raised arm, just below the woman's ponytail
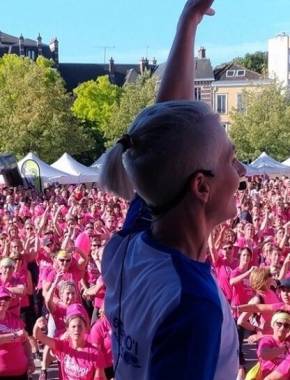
(138, 217)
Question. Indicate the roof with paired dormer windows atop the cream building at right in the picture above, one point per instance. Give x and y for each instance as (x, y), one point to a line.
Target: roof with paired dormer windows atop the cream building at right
(220, 73)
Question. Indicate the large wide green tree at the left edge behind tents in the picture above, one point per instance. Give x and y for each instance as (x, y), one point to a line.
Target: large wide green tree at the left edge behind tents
(35, 110)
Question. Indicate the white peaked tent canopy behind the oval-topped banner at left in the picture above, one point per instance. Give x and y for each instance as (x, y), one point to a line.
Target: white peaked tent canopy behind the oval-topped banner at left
(47, 173)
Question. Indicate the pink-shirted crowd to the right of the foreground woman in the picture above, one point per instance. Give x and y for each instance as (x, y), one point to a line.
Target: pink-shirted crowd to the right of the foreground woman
(250, 257)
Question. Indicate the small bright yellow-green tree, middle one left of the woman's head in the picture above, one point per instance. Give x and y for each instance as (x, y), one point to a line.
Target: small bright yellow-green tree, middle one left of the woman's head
(94, 104)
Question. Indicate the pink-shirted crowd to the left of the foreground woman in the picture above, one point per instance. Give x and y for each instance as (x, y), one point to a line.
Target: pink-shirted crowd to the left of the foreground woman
(51, 286)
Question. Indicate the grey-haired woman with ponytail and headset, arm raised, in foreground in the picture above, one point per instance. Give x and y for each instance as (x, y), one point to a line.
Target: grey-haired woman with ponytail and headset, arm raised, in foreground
(160, 291)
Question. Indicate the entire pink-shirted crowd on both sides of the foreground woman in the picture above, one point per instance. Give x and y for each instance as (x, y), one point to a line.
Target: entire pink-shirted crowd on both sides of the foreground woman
(52, 293)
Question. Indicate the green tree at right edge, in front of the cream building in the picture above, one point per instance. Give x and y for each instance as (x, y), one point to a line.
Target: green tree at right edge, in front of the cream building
(264, 125)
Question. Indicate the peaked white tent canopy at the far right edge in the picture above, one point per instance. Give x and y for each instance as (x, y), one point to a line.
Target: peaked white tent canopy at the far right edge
(267, 165)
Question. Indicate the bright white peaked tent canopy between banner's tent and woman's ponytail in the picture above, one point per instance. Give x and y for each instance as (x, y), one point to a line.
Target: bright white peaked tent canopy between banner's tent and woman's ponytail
(69, 165)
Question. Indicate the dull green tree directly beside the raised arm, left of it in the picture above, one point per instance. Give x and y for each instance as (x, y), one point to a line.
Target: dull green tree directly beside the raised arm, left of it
(136, 96)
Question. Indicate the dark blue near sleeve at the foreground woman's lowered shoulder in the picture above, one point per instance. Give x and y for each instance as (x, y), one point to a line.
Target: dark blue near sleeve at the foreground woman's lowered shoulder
(186, 345)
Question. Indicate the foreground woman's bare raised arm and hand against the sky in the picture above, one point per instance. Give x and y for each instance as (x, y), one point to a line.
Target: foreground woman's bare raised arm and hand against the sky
(178, 79)
